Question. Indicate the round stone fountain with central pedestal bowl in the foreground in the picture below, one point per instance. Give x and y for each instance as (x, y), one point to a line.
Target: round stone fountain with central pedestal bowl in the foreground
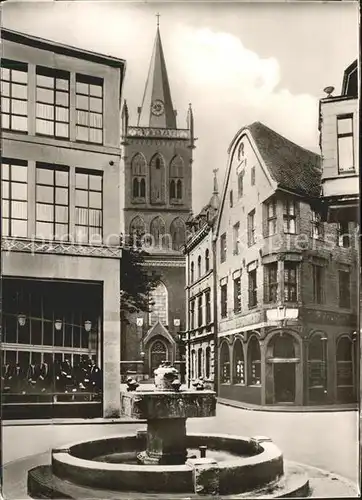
(164, 461)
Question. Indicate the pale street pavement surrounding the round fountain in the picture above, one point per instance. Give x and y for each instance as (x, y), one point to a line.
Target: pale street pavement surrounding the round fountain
(327, 440)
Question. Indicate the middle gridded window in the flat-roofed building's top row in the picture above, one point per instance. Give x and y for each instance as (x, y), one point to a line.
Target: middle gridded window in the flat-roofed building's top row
(52, 102)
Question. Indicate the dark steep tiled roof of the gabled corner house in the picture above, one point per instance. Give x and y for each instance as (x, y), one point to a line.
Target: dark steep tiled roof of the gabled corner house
(291, 166)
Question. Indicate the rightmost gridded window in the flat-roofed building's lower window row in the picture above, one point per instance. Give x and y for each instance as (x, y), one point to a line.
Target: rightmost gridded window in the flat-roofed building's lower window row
(88, 206)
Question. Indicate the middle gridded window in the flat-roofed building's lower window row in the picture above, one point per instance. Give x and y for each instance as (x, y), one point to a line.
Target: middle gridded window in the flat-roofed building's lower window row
(52, 201)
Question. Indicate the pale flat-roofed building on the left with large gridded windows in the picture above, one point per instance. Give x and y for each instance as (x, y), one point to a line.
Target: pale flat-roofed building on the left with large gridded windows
(60, 257)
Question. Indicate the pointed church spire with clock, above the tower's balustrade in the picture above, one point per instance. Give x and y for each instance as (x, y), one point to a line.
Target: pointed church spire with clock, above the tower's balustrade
(157, 109)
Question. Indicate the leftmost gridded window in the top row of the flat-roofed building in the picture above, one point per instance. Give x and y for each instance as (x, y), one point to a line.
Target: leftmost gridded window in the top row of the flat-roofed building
(14, 95)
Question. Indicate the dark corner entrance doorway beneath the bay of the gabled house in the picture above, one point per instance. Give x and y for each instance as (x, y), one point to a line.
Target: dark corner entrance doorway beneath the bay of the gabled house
(284, 368)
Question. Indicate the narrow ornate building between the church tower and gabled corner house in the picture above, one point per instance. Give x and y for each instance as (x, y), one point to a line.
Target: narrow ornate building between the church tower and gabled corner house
(200, 291)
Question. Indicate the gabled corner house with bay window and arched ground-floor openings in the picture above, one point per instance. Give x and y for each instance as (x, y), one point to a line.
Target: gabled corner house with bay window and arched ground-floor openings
(286, 280)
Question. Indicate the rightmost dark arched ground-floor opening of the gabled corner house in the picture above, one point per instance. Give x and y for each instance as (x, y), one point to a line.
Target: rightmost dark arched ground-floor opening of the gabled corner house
(345, 375)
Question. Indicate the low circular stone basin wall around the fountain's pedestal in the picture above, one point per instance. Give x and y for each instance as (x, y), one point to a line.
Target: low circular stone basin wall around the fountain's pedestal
(260, 463)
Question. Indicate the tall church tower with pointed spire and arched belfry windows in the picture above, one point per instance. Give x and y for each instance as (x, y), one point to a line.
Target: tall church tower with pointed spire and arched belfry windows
(157, 183)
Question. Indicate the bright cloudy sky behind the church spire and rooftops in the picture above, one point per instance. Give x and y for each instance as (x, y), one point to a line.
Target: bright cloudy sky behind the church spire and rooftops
(235, 62)
